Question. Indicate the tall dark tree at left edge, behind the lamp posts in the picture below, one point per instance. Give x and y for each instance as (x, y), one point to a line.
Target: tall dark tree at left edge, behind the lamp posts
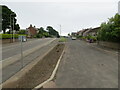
(8, 16)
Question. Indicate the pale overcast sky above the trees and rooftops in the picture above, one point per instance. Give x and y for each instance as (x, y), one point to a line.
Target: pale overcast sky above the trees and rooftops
(73, 15)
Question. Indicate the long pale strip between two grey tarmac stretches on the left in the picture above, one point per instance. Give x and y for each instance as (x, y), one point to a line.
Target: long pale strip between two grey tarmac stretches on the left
(15, 58)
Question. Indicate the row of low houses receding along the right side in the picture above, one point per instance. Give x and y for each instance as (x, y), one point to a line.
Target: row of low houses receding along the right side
(88, 31)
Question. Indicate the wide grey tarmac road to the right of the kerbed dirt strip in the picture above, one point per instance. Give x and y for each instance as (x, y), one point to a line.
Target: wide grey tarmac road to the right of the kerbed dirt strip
(87, 66)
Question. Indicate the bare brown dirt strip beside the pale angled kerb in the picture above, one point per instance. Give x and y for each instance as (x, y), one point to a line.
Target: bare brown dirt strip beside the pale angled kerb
(41, 71)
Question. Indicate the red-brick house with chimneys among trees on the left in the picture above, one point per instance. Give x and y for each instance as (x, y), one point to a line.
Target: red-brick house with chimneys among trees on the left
(31, 31)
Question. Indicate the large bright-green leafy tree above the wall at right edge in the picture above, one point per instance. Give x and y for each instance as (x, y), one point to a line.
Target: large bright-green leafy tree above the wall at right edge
(110, 31)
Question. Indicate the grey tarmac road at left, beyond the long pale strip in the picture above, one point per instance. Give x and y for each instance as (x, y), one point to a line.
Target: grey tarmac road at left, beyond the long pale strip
(14, 49)
